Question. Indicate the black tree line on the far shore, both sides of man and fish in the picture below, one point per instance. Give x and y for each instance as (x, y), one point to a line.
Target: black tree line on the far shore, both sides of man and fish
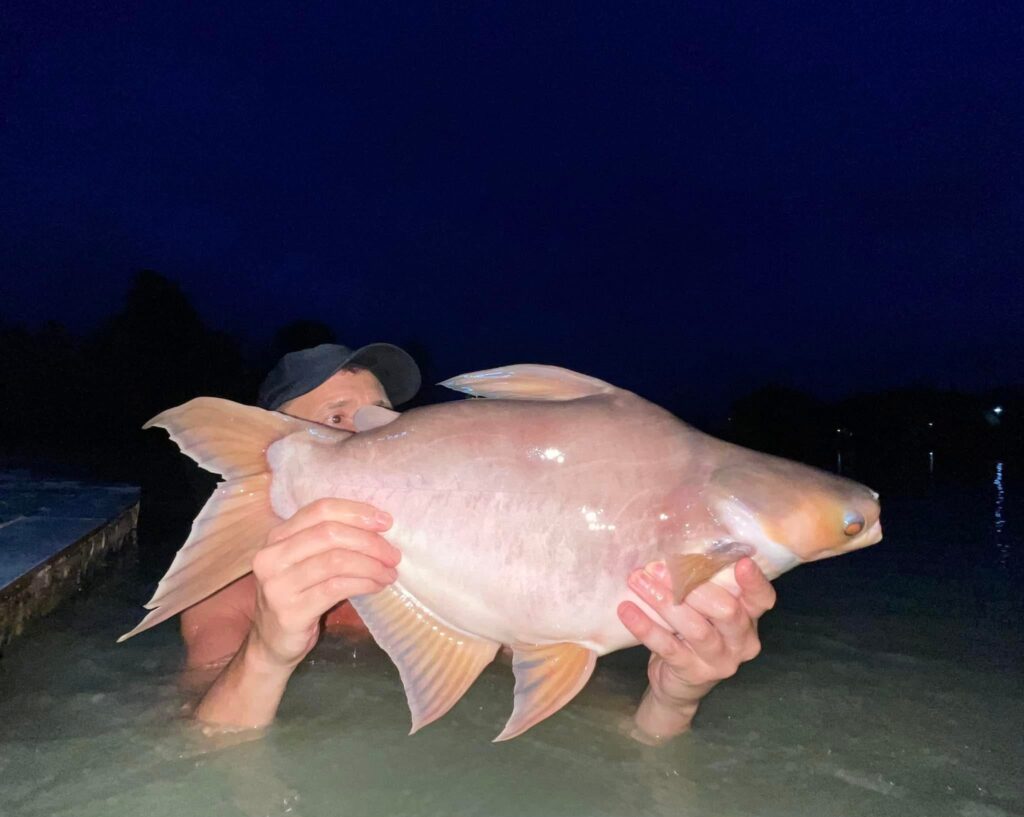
(77, 405)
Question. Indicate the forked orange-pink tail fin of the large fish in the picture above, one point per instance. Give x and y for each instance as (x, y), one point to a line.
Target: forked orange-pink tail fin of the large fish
(230, 440)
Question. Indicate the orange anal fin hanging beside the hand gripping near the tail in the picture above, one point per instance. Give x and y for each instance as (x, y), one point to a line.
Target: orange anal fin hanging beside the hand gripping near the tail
(437, 663)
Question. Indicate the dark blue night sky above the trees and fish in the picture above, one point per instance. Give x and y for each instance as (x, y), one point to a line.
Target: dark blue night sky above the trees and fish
(687, 200)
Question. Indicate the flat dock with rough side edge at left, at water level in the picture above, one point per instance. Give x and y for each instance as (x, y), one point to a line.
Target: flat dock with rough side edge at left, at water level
(56, 535)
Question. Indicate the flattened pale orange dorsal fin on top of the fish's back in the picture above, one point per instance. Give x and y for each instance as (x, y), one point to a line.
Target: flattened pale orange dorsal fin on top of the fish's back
(529, 382)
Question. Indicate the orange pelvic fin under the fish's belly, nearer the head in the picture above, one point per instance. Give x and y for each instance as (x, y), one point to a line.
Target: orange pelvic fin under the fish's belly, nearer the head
(547, 678)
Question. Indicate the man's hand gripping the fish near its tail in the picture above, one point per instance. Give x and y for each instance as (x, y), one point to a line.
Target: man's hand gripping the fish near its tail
(327, 552)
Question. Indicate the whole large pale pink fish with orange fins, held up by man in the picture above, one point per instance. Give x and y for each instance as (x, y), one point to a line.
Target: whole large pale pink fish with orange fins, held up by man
(519, 517)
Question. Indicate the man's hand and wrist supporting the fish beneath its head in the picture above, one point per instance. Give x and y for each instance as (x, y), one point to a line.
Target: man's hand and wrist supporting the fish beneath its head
(708, 637)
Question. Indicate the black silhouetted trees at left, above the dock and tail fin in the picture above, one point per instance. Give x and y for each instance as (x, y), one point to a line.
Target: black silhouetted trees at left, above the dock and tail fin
(79, 404)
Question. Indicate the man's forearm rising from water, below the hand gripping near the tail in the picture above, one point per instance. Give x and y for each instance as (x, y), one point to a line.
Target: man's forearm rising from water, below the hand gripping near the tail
(247, 694)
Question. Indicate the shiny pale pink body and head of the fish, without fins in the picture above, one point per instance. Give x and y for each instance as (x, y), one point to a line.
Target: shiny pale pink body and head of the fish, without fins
(520, 521)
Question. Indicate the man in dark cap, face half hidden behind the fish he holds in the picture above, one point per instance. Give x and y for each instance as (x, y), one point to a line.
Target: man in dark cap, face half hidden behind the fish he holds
(260, 628)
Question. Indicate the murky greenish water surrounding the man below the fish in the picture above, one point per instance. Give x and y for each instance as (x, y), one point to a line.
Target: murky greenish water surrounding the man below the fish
(890, 684)
